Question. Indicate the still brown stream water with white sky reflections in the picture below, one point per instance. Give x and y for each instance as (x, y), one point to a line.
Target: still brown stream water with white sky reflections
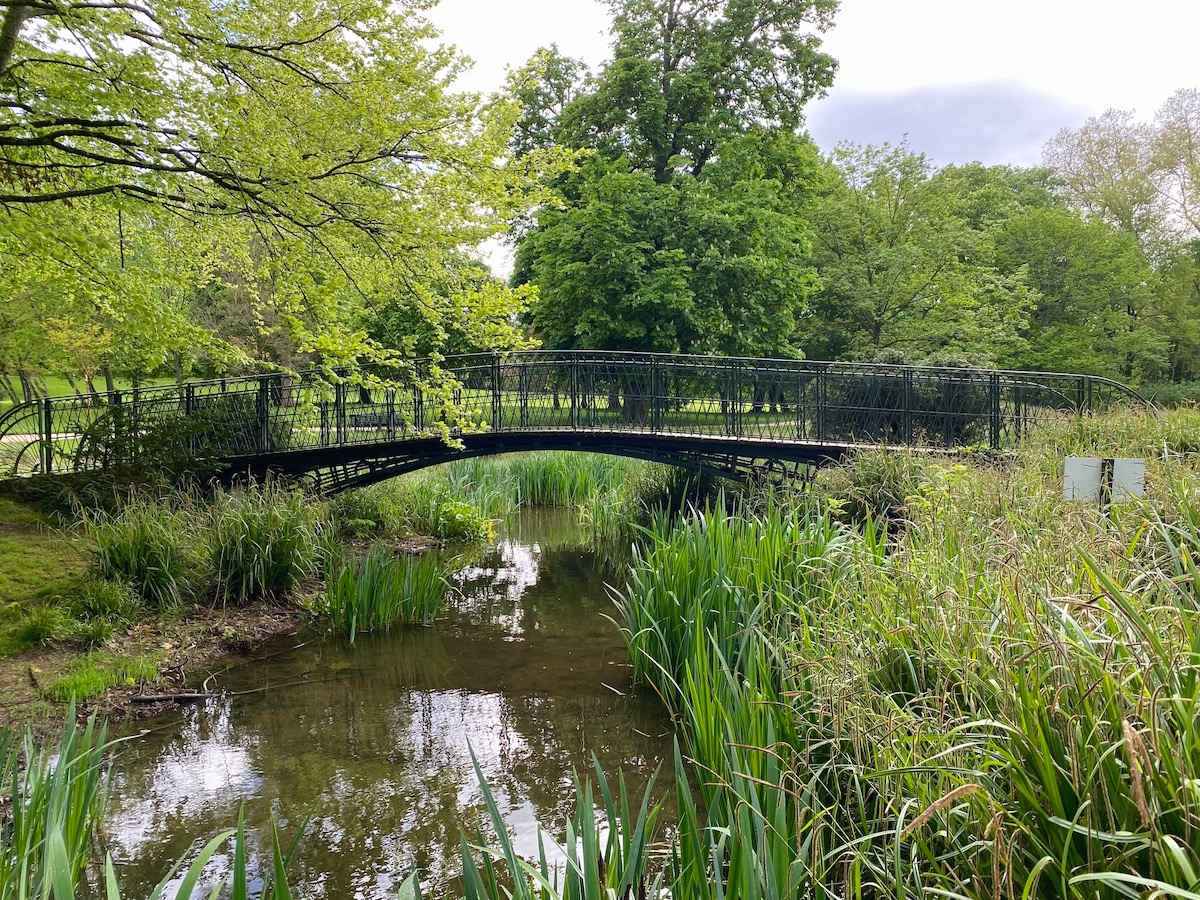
(370, 746)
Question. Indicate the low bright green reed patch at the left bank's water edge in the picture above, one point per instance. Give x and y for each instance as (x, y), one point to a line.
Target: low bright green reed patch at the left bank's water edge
(380, 591)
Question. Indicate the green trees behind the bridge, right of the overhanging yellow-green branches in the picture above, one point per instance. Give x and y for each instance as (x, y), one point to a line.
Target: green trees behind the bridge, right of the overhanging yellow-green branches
(701, 219)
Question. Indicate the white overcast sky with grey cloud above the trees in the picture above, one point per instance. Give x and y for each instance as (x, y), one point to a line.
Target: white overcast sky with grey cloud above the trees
(964, 80)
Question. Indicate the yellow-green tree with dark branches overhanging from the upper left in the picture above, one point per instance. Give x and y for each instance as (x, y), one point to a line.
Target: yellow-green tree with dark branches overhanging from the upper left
(314, 157)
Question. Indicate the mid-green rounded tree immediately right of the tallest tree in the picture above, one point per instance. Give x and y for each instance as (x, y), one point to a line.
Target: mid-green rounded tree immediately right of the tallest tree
(904, 268)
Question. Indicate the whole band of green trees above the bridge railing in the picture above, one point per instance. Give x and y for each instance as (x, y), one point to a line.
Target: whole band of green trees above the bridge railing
(197, 188)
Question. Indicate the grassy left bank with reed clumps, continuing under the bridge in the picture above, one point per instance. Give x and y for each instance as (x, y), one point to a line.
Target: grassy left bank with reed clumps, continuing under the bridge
(100, 584)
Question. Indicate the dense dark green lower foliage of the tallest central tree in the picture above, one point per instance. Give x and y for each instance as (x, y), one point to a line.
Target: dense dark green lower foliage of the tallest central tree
(717, 263)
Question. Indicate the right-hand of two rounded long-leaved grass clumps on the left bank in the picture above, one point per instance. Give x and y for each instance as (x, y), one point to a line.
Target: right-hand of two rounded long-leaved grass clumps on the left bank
(262, 542)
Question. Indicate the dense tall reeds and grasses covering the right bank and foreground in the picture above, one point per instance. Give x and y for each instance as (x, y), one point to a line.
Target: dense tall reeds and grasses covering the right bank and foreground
(920, 676)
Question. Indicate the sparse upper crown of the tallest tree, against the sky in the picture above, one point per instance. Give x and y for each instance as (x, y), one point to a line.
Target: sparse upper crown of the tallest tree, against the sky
(686, 76)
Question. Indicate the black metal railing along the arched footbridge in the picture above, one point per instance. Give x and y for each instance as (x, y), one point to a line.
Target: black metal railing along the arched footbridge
(742, 401)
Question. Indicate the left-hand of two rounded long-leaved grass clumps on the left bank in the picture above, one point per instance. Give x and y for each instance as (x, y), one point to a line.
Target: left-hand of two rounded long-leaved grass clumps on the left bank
(147, 547)
